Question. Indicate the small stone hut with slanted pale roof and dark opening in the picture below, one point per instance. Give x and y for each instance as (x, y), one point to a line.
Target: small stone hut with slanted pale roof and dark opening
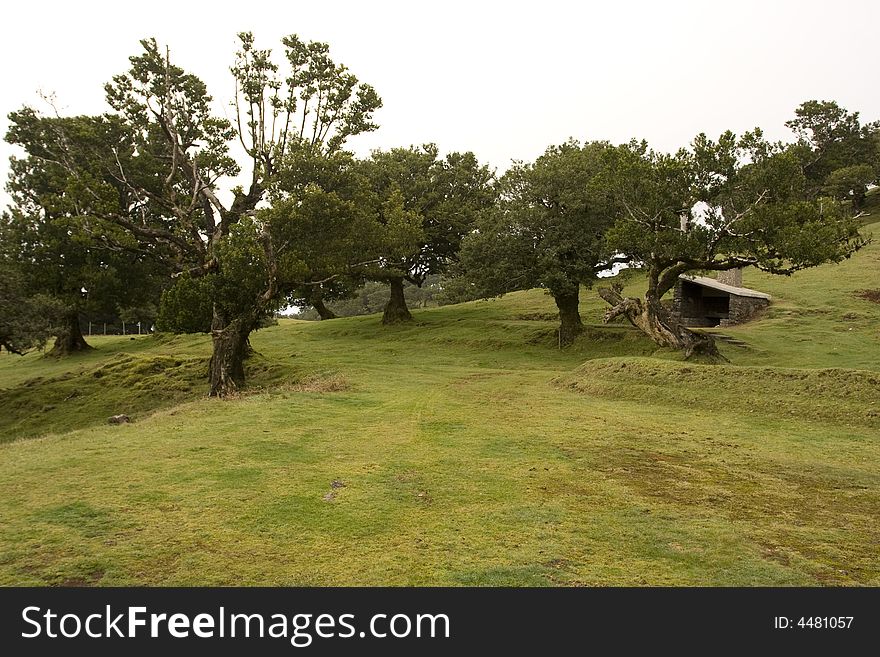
(707, 302)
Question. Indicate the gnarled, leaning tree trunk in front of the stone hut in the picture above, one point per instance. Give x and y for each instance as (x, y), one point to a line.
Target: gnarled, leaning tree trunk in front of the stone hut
(654, 321)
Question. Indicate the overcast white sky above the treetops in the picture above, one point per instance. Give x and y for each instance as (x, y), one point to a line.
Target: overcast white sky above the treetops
(504, 79)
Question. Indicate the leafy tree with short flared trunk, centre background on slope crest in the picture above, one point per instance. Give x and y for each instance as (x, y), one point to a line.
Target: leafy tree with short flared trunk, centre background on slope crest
(443, 197)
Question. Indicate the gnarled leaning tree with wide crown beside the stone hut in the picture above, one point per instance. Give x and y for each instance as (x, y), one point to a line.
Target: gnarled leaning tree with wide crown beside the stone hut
(718, 206)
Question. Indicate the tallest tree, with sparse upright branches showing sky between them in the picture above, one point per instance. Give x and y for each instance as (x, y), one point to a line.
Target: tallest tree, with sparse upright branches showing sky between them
(167, 168)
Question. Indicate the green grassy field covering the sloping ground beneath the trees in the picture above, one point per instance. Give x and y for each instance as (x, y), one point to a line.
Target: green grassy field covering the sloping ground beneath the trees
(465, 449)
